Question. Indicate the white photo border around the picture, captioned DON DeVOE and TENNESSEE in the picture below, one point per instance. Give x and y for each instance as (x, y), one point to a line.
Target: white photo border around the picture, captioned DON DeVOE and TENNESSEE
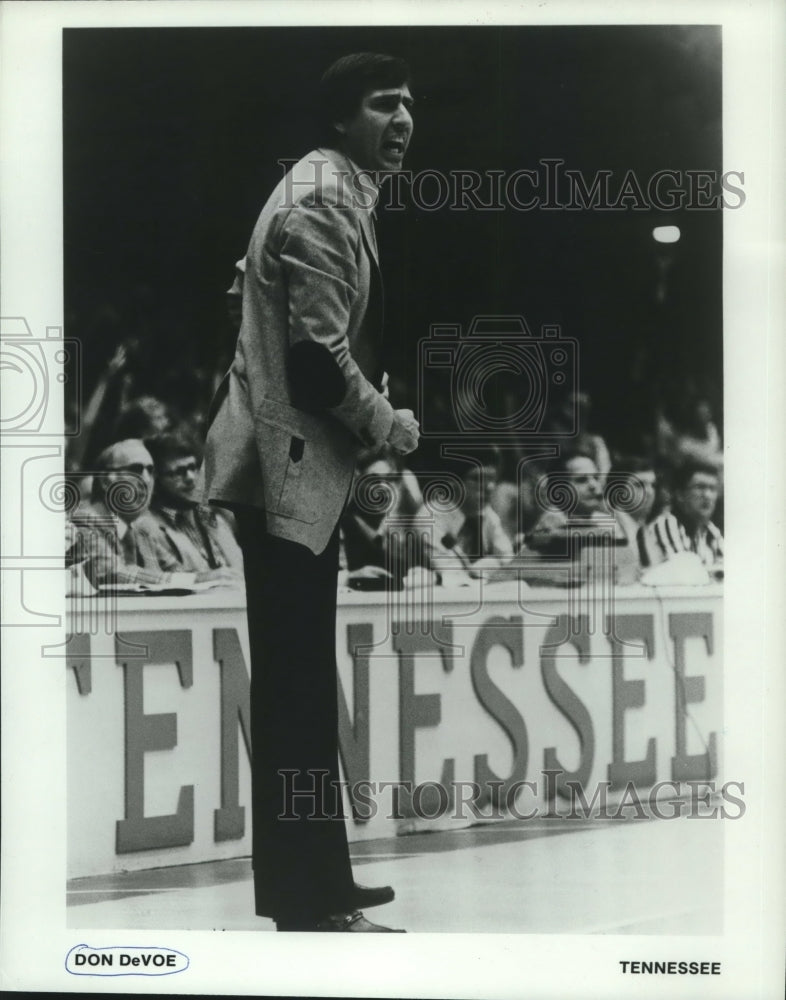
(35, 939)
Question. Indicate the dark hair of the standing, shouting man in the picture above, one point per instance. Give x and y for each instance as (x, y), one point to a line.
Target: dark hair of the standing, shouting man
(345, 83)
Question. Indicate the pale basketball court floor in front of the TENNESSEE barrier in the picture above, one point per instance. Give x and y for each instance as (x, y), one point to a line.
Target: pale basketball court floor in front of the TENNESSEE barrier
(548, 875)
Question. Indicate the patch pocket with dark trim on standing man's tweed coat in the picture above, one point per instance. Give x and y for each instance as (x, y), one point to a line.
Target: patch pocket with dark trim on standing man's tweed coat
(285, 453)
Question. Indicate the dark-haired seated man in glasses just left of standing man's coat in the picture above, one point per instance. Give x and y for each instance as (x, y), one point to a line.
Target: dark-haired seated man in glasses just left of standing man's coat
(198, 537)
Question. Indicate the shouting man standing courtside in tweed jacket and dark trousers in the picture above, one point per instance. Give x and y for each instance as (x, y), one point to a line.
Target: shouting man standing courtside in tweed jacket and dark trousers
(302, 398)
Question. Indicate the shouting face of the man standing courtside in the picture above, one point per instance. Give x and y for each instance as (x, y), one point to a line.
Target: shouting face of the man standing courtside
(376, 137)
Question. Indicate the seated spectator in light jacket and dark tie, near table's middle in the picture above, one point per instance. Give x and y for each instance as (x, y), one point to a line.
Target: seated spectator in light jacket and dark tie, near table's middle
(471, 536)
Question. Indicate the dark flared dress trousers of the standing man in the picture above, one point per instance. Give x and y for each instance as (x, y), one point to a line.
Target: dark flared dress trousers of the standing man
(301, 860)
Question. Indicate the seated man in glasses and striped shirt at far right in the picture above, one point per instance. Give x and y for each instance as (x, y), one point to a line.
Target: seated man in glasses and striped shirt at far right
(689, 527)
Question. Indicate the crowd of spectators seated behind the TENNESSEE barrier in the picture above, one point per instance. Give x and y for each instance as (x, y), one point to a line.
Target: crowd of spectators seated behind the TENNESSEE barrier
(135, 521)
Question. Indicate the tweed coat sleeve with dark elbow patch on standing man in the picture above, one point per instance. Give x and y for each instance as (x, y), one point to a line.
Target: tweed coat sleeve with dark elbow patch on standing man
(319, 257)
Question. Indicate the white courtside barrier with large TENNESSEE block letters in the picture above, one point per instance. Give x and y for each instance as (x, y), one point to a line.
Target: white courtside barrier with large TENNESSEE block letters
(456, 707)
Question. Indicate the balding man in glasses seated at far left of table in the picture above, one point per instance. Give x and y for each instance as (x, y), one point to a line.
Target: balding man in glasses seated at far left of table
(119, 545)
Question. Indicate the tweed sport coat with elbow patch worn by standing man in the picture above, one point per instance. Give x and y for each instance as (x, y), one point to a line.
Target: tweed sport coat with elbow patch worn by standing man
(302, 396)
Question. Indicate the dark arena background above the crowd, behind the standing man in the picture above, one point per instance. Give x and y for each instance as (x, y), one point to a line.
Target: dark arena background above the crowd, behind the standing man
(171, 139)
